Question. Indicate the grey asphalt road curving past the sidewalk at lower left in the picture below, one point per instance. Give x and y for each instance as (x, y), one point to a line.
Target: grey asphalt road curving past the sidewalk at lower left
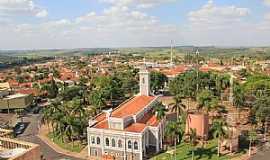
(30, 135)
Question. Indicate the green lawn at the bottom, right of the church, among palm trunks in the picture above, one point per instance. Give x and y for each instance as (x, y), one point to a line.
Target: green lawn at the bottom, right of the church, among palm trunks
(183, 152)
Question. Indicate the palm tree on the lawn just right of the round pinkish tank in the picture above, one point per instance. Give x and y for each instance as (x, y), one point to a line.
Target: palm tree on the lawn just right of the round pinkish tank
(219, 131)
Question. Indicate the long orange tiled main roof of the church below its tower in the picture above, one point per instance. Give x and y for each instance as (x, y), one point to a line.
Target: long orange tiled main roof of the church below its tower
(133, 106)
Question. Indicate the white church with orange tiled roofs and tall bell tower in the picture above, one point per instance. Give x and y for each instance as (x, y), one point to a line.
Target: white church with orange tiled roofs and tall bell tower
(129, 132)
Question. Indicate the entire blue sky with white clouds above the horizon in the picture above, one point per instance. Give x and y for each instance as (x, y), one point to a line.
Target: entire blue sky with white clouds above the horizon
(43, 24)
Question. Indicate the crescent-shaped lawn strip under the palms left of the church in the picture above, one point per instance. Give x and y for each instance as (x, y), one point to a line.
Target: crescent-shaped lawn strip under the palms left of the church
(77, 147)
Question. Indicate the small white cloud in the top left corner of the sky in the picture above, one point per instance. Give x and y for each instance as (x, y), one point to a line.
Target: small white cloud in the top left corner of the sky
(21, 7)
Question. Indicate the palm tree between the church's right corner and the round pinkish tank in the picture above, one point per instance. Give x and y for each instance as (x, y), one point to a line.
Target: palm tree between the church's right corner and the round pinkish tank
(174, 131)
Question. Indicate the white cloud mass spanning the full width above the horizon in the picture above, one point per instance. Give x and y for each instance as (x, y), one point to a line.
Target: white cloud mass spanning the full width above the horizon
(123, 24)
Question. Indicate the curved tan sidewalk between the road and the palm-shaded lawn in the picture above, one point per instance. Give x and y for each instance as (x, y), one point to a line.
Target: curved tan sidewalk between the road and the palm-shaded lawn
(43, 136)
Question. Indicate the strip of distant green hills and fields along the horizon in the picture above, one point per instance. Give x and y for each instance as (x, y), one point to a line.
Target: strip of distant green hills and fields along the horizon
(207, 50)
